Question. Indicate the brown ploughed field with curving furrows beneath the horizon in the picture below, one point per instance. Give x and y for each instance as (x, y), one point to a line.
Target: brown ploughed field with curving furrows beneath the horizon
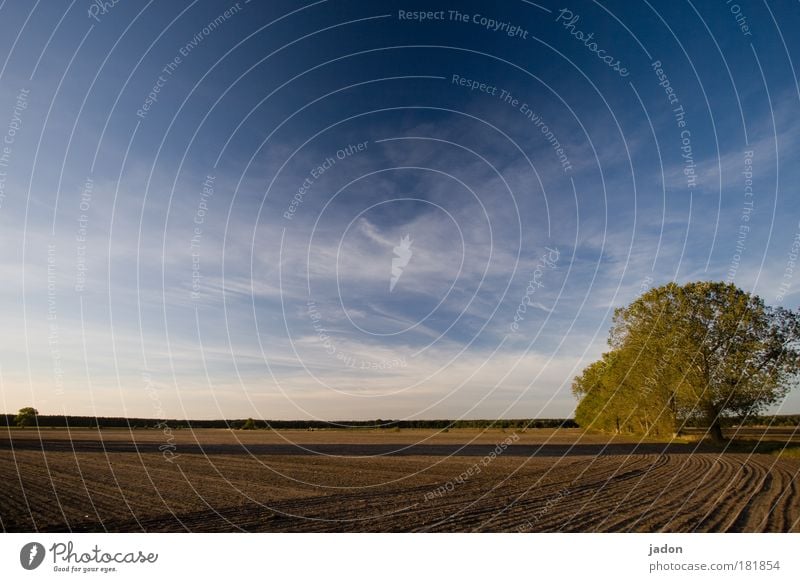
(542, 480)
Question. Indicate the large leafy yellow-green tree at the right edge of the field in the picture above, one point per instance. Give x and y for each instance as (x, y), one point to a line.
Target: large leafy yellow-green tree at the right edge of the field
(702, 351)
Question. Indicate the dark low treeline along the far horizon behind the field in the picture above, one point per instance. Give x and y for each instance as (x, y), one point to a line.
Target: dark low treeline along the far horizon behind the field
(47, 420)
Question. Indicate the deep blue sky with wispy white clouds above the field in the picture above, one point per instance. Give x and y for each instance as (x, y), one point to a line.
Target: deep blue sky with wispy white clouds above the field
(359, 210)
